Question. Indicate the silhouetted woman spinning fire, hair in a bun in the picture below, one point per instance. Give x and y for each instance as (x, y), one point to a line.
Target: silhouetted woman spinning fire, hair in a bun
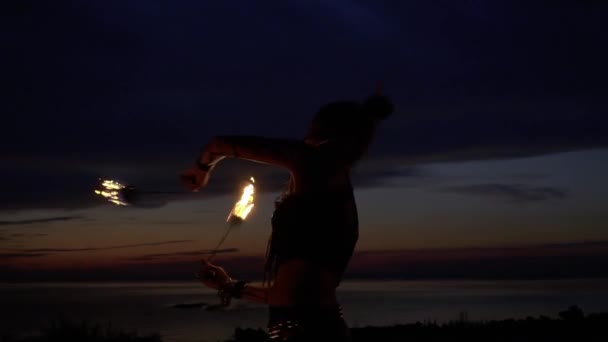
(315, 223)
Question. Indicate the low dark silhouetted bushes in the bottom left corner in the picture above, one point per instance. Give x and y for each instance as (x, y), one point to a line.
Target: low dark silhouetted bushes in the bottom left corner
(63, 330)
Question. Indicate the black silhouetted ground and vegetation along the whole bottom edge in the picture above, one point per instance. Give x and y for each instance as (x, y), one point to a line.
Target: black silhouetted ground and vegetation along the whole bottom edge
(571, 326)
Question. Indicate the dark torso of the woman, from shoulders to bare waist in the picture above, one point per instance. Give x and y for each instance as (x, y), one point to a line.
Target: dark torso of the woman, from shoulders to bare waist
(315, 229)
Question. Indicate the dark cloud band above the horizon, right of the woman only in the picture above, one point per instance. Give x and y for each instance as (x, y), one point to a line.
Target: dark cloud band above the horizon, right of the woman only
(568, 260)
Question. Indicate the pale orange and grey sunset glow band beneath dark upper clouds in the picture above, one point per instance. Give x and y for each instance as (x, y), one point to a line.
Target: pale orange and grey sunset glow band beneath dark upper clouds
(427, 214)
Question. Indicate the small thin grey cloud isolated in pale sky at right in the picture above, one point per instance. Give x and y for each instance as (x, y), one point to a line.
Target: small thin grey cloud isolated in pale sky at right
(515, 193)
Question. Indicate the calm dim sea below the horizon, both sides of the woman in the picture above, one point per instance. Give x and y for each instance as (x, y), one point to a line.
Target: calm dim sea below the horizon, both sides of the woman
(148, 307)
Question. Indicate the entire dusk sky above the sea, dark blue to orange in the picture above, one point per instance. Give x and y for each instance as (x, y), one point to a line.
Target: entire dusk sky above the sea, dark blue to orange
(494, 163)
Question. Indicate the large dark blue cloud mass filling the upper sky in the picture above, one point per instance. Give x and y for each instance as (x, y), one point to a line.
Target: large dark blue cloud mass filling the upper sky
(134, 86)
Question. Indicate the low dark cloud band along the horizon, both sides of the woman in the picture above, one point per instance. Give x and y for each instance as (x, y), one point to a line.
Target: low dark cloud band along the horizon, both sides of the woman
(564, 260)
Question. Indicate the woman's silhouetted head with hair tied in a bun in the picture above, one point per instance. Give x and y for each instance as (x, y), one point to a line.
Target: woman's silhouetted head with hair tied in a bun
(349, 126)
